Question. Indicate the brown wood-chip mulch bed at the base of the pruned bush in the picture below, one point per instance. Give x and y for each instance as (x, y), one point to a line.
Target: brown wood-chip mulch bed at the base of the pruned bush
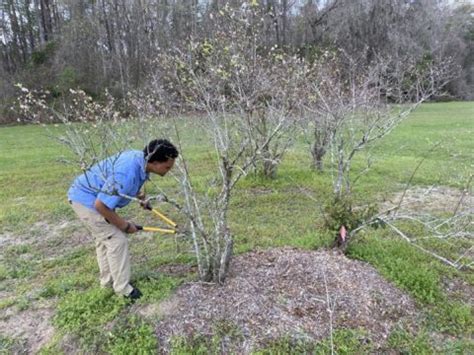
(288, 293)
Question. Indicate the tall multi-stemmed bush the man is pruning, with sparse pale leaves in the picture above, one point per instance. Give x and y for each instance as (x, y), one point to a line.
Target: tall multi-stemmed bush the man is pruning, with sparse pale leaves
(248, 100)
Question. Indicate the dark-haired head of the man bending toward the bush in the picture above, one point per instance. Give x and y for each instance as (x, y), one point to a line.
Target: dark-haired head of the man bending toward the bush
(159, 156)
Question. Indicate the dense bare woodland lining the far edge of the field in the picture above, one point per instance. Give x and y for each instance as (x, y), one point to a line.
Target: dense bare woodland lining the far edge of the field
(95, 45)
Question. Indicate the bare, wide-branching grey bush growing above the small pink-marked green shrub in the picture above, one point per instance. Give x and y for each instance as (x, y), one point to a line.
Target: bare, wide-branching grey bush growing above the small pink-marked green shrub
(352, 105)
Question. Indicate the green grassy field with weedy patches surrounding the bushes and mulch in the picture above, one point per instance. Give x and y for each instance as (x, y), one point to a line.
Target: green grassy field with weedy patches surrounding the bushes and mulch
(51, 301)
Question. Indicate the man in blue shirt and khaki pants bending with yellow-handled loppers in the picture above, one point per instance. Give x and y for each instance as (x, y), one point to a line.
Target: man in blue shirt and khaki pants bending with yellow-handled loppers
(106, 186)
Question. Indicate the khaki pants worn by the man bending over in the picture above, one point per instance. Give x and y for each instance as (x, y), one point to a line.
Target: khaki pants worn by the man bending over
(111, 247)
